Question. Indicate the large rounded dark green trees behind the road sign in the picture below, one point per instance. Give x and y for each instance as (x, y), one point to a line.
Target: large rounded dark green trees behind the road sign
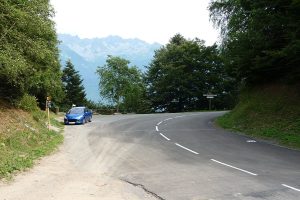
(182, 72)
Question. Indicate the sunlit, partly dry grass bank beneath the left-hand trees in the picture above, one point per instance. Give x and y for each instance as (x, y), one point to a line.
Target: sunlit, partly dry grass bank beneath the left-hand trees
(23, 139)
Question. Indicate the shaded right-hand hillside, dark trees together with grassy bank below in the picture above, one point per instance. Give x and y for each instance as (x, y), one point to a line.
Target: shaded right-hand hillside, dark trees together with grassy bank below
(261, 48)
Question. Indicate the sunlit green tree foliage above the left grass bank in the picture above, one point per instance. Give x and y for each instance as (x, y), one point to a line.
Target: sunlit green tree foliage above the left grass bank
(29, 60)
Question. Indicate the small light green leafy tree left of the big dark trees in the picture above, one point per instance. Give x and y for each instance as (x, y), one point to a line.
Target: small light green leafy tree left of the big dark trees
(121, 84)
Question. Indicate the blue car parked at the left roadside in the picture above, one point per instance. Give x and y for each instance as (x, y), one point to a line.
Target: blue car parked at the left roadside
(78, 115)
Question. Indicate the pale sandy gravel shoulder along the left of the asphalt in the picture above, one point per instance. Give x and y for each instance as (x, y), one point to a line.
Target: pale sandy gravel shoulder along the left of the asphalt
(73, 172)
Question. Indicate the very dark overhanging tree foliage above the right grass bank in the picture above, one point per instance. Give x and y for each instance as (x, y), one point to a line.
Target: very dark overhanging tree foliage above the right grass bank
(261, 39)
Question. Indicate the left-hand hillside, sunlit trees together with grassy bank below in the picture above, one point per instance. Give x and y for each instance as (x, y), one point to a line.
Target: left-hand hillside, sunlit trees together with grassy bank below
(29, 72)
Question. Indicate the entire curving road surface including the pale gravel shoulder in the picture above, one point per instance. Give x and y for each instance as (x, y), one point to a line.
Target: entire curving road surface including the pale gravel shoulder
(159, 156)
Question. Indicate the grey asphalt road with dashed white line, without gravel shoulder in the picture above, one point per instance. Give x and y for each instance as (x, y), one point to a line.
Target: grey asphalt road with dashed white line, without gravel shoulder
(185, 156)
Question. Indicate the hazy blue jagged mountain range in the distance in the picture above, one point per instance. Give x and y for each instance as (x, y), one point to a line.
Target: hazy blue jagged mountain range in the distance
(88, 54)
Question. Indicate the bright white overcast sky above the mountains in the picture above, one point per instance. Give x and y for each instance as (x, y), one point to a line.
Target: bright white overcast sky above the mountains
(149, 20)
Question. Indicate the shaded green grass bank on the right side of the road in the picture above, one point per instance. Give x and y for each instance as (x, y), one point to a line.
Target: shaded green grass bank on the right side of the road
(269, 113)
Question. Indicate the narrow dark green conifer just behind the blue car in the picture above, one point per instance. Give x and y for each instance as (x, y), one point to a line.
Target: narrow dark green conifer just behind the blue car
(74, 90)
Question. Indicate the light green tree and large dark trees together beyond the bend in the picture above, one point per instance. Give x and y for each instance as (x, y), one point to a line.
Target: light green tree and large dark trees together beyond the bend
(176, 80)
